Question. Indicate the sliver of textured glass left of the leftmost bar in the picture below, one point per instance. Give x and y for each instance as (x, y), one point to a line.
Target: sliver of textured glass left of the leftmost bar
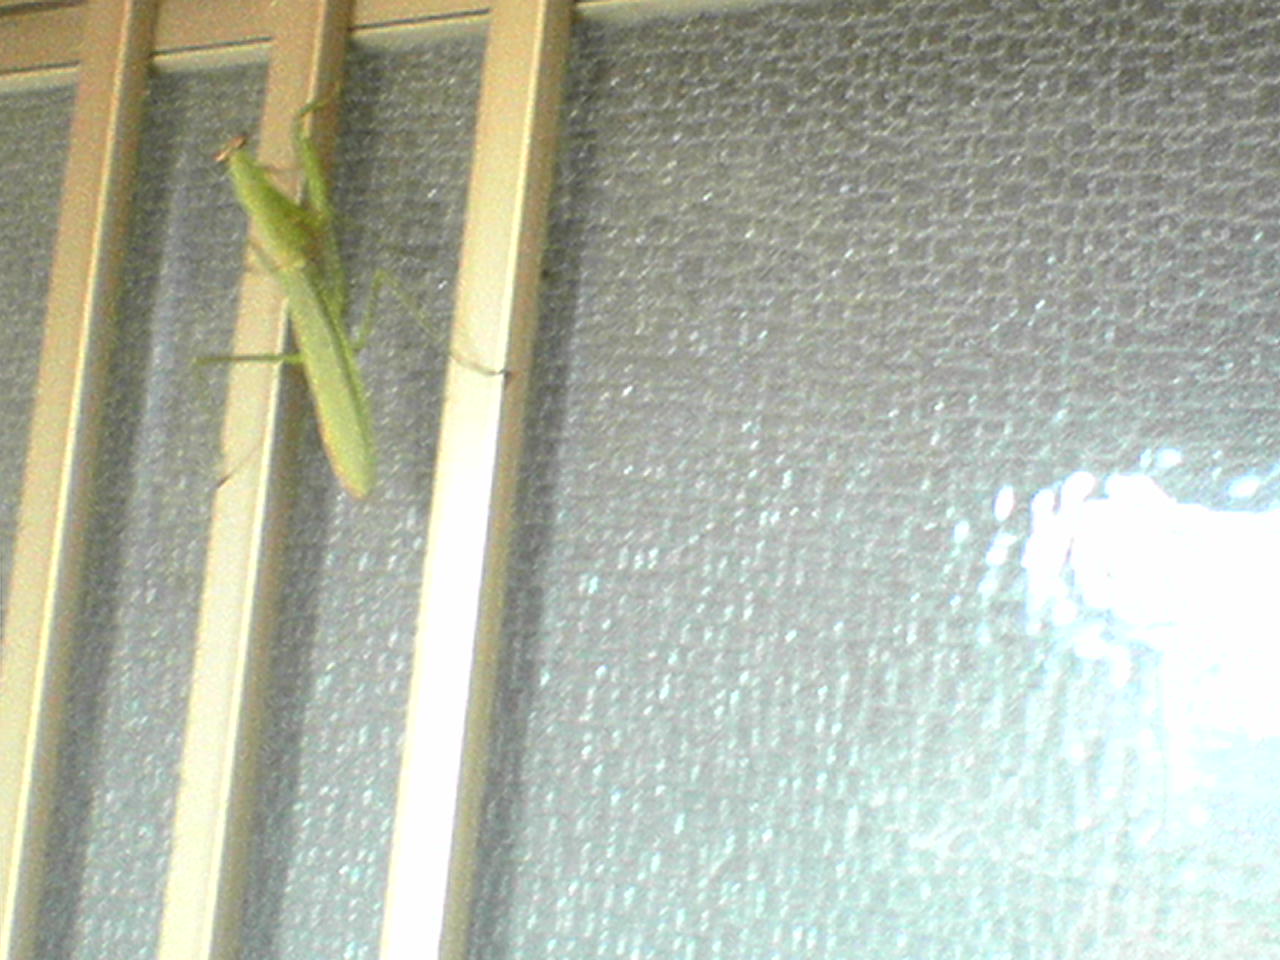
(30, 188)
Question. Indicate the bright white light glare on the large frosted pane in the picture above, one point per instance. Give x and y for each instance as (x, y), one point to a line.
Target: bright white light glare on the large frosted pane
(1117, 566)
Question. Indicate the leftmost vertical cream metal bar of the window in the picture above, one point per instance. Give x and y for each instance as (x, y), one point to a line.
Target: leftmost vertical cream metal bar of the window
(44, 600)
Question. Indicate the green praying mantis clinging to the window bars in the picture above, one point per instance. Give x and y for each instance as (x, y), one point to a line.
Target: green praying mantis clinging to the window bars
(299, 248)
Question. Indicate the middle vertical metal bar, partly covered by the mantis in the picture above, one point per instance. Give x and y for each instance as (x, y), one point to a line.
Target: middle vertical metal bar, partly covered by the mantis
(214, 813)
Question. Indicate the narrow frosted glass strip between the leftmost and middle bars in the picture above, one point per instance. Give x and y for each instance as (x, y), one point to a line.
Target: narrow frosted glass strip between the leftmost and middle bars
(147, 537)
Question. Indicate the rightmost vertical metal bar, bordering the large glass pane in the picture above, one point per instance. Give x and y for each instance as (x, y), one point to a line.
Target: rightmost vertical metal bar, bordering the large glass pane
(474, 487)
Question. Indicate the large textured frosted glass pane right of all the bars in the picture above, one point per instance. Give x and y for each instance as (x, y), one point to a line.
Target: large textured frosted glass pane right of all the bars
(899, 523)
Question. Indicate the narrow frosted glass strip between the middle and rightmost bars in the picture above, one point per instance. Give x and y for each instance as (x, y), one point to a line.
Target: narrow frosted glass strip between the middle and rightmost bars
(349, 607)
